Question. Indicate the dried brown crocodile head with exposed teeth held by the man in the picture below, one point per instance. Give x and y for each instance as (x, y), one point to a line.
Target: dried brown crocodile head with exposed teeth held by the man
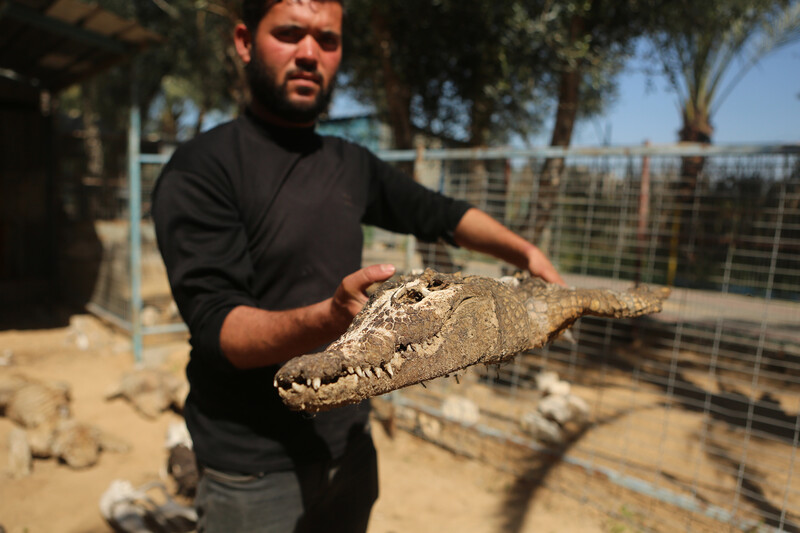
(429, 326)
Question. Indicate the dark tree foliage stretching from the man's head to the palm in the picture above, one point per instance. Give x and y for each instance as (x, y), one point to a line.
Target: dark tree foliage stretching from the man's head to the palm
(482, 71)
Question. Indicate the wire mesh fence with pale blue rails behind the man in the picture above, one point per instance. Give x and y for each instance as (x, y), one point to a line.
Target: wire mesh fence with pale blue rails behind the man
(692, 416)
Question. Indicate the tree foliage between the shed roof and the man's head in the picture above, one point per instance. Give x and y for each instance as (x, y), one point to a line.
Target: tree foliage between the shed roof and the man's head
(193, 67)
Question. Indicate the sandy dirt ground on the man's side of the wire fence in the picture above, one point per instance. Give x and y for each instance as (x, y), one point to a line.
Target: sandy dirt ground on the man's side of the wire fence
(424, 488)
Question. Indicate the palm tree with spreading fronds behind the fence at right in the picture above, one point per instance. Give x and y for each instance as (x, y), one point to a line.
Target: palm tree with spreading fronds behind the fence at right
(705, 49)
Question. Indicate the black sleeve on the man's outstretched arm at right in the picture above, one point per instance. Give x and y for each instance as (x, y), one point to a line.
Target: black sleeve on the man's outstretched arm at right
(398, 203)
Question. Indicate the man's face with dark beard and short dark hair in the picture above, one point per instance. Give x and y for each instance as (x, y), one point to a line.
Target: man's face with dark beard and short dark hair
(294, 56)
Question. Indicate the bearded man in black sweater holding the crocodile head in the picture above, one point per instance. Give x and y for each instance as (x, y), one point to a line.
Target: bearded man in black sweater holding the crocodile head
(259, 223)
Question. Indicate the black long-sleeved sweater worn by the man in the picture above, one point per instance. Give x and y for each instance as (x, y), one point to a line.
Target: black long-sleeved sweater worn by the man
(251, 214)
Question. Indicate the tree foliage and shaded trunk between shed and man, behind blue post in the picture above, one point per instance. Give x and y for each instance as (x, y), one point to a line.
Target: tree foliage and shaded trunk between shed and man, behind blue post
(191, 69)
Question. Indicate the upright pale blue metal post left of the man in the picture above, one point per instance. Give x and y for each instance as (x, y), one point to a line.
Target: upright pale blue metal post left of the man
(135, 213)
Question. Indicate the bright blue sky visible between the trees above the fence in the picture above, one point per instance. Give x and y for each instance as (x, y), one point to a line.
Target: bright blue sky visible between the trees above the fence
(763, 108)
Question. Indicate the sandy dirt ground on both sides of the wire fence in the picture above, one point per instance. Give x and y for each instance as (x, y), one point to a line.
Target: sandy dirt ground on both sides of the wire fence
(635, 437)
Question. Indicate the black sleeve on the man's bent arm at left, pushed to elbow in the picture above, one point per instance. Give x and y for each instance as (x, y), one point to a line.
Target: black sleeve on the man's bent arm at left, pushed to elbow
(204, 247)
